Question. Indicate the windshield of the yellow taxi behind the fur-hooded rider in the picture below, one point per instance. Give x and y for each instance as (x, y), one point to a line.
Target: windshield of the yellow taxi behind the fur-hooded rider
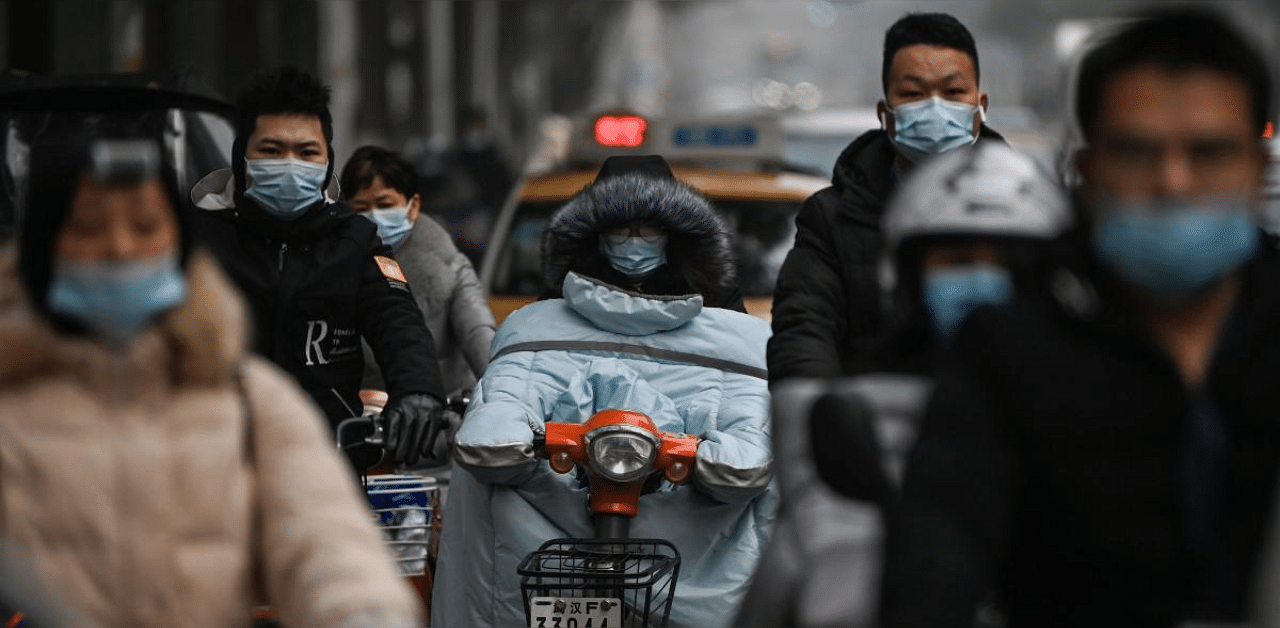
(764, 232)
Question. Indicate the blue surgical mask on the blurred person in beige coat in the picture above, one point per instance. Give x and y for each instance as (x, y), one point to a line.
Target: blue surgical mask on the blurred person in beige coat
(117, 300)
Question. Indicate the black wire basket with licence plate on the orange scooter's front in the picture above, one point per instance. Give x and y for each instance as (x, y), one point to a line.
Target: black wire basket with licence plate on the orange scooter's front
(582, 583)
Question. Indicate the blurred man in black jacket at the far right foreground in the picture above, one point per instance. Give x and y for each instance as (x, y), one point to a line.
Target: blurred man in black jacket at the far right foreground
(1108, 457)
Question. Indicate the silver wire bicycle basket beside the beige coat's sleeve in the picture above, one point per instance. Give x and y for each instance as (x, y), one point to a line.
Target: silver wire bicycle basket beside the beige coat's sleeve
(404, 506)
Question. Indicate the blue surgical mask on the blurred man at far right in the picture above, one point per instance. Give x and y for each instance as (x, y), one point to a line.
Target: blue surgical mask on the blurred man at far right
(1174, 250)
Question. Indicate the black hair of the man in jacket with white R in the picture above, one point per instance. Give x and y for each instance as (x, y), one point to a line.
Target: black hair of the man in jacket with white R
(286, 90)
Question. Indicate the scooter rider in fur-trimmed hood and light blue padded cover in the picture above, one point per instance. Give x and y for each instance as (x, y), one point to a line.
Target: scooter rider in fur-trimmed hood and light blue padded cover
(637, 256)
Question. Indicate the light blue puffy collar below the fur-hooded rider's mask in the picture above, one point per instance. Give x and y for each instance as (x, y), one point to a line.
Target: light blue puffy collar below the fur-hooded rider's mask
(628, 313)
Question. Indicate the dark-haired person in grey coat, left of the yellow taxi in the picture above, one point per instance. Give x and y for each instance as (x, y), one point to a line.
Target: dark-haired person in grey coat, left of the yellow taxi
(383, 187)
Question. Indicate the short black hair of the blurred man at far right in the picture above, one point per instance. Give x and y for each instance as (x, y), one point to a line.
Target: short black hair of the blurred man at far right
(1177, 40)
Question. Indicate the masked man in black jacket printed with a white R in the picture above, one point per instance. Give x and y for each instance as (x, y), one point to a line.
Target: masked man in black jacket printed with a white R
(317, 277)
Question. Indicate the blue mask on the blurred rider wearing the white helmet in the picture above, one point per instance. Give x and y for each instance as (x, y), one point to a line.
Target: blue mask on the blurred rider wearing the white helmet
(953, 292)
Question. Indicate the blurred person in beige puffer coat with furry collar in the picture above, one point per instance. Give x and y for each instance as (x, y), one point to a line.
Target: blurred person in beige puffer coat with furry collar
(153, 470)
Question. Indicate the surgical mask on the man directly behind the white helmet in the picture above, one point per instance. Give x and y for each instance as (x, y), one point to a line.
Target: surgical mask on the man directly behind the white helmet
(934, 126)
